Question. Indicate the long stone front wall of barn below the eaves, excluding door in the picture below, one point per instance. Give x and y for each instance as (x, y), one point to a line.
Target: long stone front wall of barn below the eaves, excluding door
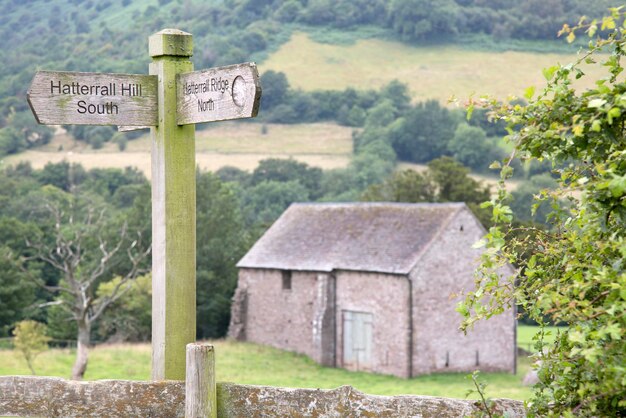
(308, 318)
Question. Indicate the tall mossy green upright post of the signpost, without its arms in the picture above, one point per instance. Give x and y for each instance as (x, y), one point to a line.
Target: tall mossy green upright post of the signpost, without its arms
(173, 212)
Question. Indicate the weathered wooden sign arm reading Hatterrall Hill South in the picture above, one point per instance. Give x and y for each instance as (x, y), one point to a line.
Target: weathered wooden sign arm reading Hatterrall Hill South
(58, 98)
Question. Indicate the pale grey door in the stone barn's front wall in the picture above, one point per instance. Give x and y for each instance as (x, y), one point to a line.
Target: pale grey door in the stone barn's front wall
(357, 340)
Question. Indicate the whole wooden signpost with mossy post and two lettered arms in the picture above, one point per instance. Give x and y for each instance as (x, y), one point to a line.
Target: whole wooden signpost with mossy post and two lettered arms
(170, 100)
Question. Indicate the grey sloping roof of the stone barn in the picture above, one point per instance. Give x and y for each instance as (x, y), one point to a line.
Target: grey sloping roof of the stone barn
(375, 237)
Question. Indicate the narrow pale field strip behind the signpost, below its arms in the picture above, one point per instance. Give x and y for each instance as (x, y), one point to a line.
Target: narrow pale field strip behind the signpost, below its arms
(242, 145)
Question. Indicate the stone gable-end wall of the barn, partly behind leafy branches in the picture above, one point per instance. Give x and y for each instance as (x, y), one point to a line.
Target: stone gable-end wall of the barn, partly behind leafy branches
(446, 270)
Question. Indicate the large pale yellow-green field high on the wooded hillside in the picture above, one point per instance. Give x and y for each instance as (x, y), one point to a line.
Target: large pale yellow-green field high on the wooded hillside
(433, 72)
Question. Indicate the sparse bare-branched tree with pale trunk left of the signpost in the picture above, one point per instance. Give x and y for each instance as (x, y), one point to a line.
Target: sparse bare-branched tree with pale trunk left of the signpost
(84, 257)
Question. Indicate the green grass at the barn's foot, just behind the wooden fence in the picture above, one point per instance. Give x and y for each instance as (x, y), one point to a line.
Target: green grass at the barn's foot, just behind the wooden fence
(248, 363)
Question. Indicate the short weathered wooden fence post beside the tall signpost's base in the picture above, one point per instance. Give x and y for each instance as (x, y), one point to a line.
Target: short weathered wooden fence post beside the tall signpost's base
(200, 394)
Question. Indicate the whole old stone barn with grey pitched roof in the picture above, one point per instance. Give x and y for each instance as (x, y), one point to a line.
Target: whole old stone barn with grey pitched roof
(370, 287)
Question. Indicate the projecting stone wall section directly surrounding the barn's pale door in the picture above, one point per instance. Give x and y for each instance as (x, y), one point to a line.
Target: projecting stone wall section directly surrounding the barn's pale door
(386, 298)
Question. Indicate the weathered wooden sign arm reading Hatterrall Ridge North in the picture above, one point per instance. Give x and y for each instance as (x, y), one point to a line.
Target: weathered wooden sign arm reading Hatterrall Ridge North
(222, 93)
